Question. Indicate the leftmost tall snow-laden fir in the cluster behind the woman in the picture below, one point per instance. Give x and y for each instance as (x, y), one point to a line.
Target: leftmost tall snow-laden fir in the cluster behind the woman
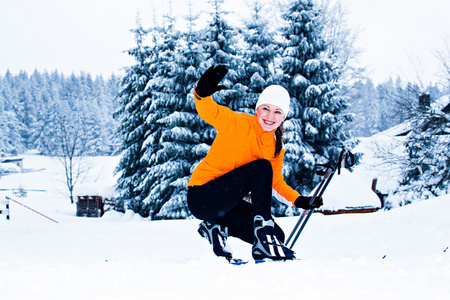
(134, 100)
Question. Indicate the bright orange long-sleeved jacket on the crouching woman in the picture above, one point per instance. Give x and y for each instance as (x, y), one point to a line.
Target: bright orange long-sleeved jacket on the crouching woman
(239, 140)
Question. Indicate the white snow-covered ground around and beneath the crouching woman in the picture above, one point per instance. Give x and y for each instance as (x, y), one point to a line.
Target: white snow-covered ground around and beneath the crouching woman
(398, 254)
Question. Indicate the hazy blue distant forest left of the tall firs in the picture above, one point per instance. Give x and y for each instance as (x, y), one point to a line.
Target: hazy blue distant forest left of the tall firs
(31, 103)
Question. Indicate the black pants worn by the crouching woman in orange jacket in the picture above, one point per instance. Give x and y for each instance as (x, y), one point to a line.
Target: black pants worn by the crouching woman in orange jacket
(220, 201)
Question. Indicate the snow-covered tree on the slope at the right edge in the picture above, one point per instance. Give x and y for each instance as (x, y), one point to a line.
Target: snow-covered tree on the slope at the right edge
(427, 165)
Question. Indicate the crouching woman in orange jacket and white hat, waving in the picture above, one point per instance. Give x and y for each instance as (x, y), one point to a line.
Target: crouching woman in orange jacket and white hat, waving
(245, 157)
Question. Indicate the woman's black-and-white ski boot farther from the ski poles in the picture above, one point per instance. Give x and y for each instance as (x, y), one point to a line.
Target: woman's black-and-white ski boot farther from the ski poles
(217, 237)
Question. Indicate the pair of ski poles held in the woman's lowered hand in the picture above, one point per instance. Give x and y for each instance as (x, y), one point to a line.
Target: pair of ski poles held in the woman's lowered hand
(318, 193)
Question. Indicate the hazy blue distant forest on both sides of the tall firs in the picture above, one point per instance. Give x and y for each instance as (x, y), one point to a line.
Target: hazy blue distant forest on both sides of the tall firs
(27, 103)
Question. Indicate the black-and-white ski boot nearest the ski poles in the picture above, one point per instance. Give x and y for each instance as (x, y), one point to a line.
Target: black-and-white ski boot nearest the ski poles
(266, 245)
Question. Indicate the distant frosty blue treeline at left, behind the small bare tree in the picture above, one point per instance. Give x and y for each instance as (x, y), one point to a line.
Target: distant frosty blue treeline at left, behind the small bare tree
(37, 110)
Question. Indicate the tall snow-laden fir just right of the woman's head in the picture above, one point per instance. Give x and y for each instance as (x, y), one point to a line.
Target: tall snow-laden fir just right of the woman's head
(314, 131)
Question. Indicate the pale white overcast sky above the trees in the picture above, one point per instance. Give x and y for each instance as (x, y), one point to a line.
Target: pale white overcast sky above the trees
(398, 37)
